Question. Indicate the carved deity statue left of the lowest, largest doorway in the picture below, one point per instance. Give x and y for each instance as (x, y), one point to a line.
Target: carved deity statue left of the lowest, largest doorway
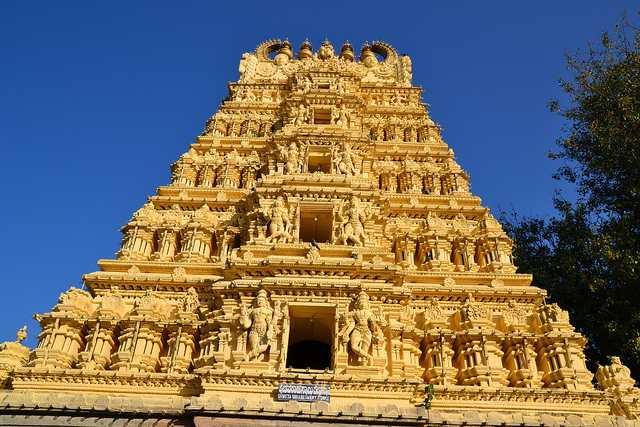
(260, 321)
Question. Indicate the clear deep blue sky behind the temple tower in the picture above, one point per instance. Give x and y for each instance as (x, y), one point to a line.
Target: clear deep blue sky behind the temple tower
(98, 98)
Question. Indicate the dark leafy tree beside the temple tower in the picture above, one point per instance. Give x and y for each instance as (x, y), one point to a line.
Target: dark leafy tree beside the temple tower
(588, 255)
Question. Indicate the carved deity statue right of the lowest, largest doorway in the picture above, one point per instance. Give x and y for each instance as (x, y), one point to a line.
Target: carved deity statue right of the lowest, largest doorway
(361, 329)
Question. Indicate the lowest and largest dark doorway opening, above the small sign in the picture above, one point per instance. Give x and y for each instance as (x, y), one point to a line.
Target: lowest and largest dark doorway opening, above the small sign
(310, 337)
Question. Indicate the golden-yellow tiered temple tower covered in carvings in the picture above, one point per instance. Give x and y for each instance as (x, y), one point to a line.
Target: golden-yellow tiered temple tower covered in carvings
(317, 257)
